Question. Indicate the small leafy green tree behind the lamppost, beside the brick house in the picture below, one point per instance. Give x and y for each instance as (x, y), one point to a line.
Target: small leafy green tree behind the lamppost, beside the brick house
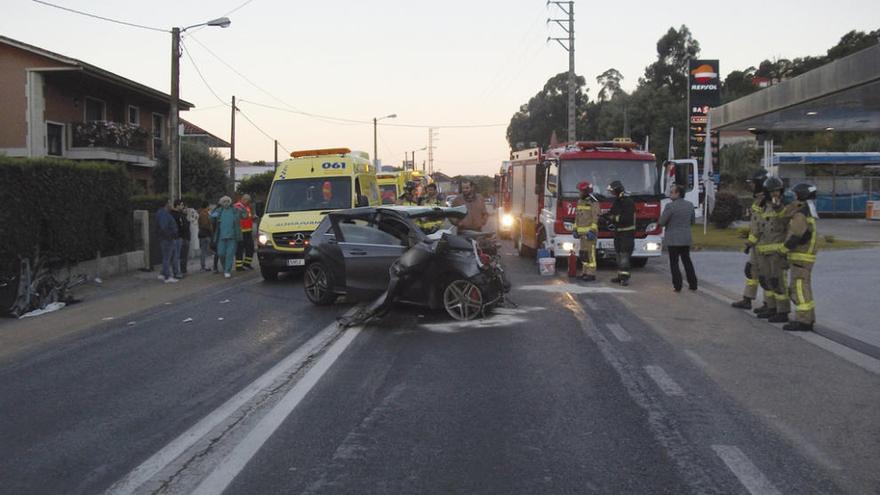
(203, 172)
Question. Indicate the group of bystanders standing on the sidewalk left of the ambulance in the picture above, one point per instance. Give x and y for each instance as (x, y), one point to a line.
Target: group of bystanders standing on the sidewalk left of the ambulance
(222, 230)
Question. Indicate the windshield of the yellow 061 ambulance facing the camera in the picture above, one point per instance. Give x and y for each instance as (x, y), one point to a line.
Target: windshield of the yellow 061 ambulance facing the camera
(319, 193)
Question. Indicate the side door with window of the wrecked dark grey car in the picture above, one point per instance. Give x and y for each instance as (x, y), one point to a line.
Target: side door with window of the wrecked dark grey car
(368, 252)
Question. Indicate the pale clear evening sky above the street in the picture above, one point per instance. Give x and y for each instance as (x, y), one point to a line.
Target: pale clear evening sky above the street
(432, 63)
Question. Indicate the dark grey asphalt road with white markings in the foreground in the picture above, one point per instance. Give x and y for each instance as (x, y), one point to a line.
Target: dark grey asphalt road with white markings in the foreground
(577, 389)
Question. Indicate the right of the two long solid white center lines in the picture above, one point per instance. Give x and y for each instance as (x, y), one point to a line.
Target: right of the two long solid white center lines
(229, 468)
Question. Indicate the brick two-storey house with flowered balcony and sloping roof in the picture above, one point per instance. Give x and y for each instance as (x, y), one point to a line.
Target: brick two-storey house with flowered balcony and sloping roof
(53, 105)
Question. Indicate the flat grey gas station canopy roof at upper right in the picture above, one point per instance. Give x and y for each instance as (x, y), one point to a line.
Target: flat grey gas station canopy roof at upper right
(843, 95)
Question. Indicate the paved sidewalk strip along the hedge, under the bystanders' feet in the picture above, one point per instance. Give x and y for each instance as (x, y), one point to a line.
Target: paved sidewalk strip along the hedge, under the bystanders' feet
(114, 299)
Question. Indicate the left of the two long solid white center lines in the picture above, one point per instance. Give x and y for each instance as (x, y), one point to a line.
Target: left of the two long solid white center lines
(164, 457)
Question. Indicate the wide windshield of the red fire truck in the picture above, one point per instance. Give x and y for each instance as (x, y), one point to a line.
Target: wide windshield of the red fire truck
(638, 177)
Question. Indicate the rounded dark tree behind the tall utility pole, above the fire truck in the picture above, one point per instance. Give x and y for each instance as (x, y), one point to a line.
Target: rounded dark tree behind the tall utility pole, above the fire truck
(546, 112)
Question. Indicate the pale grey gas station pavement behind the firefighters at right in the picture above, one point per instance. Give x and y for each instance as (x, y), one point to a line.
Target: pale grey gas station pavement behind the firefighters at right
(844, 287)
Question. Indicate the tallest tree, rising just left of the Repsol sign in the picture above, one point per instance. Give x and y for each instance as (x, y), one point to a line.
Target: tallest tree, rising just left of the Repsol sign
(674, 50)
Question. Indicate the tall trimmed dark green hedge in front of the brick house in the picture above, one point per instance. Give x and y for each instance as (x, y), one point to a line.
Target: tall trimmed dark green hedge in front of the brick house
(67, 209)
